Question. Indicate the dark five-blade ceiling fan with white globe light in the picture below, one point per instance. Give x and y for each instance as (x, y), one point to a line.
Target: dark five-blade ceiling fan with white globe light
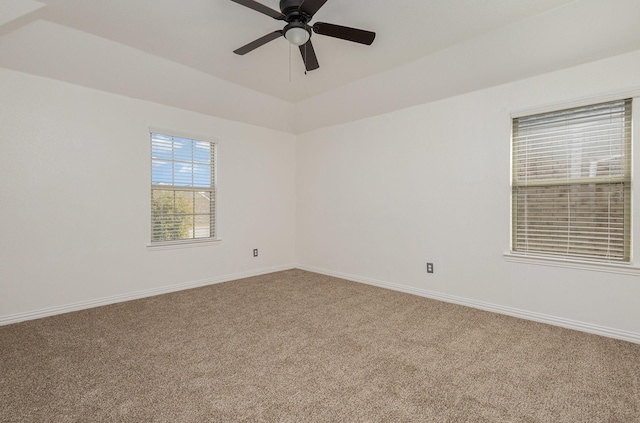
(298, 14)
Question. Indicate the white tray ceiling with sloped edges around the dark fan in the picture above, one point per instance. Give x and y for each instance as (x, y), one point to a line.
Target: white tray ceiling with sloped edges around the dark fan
(160, 49)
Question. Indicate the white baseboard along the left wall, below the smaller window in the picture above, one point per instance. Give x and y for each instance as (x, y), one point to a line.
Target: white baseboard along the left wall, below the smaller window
(51, 311)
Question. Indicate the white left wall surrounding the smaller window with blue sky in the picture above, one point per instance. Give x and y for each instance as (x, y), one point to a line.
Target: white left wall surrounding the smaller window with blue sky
(75, 198)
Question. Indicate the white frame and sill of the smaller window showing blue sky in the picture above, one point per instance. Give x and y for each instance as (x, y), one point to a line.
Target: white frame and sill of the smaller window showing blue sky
(191, 241)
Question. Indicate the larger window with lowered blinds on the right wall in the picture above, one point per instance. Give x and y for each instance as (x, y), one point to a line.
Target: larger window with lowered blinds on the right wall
(571, 183)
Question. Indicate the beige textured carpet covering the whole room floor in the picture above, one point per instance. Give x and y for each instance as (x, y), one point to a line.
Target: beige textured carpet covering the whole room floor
(295, 346)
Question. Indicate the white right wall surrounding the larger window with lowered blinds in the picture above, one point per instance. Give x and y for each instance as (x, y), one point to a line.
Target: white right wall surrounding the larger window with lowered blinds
(380, 197)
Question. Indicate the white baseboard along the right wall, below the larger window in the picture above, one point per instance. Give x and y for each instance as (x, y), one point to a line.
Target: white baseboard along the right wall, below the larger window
(523, 314)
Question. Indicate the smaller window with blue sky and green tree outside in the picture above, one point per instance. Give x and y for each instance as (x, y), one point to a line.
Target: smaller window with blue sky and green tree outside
(183, 189)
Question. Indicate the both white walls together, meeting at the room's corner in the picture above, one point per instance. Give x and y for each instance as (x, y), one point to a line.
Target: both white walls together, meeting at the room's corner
(371, 200)
